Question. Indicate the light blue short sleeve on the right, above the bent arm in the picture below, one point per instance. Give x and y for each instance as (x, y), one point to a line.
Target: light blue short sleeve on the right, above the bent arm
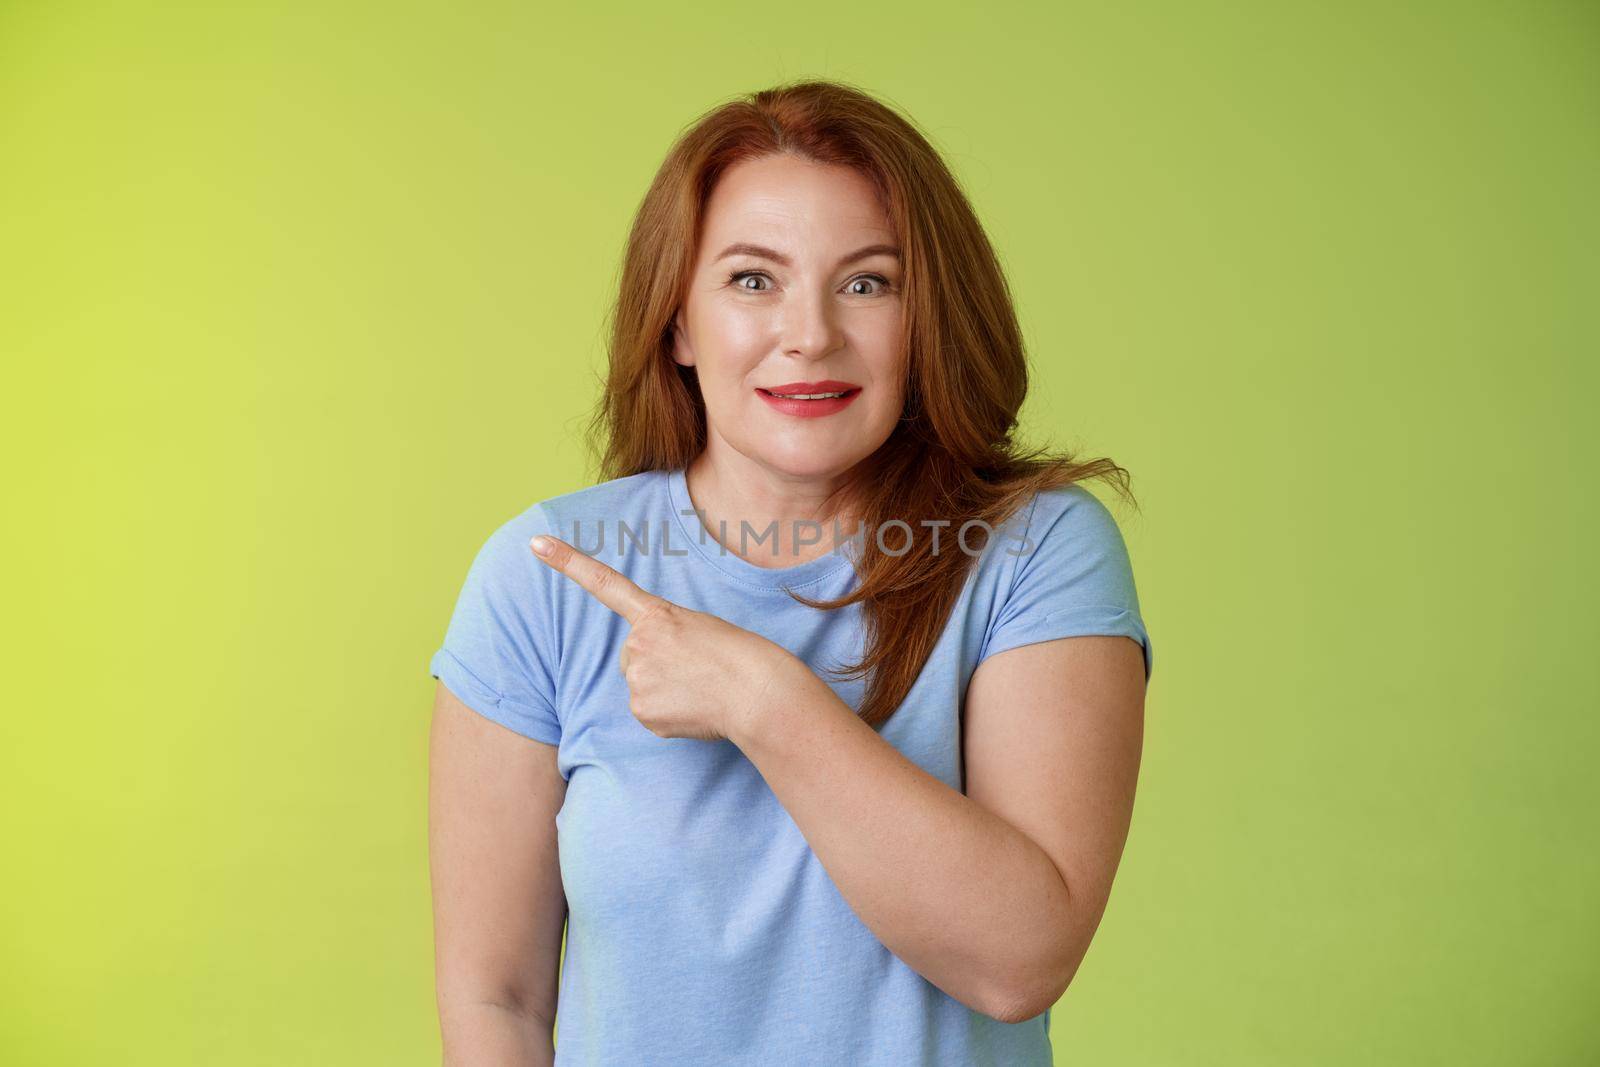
(1073, 578)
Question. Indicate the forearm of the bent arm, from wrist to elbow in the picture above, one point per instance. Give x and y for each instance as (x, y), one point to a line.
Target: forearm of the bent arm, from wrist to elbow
(958, 893)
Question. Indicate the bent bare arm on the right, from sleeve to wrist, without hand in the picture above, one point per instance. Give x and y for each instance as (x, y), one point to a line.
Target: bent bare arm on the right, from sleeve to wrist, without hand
(994, 895)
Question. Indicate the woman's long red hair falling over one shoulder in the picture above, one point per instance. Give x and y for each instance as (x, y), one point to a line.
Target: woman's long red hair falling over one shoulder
(950, 458)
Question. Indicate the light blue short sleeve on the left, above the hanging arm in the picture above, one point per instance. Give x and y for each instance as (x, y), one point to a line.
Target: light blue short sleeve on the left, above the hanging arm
(500, 653)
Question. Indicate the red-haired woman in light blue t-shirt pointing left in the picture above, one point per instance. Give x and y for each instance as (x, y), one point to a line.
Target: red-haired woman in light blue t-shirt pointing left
(814, 770)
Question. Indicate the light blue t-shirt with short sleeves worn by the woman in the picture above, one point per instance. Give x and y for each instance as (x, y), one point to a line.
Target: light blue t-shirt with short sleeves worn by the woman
(702, 927)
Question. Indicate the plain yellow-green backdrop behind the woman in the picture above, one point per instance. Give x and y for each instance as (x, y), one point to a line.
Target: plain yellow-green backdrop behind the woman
(298, 303)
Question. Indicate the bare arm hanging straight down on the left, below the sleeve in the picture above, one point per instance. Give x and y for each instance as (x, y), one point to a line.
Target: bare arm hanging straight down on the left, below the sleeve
(498, 901)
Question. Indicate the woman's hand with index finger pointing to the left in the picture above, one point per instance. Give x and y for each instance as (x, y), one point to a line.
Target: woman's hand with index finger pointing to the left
(689, 674)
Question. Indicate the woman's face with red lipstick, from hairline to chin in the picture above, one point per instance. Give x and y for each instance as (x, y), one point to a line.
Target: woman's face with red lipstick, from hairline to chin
(796, 290)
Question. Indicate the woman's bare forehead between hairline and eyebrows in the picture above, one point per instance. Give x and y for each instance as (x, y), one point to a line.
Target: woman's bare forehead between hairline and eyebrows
(783, 198)
